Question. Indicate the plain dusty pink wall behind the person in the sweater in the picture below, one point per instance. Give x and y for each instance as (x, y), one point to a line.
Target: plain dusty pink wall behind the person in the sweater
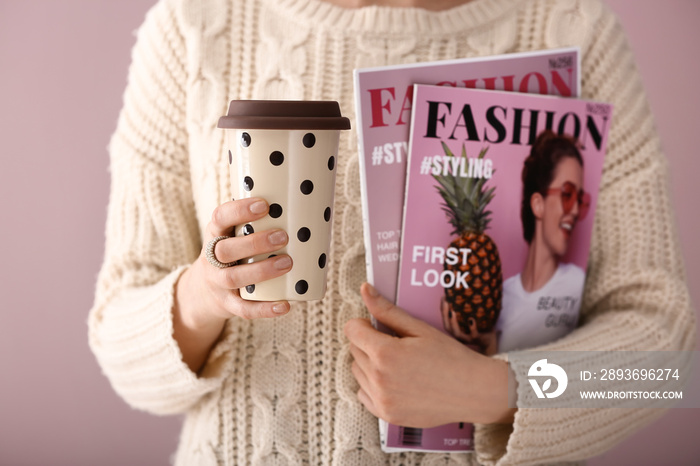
(63, 73)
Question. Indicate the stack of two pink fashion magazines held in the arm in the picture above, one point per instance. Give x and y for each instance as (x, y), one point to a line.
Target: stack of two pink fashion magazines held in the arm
(477, 174)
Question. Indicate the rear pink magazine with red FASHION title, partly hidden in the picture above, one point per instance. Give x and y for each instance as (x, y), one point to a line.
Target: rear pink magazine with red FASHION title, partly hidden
(383, 106)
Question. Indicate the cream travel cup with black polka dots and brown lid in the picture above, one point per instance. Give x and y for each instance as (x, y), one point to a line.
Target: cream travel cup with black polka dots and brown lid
(286, 152)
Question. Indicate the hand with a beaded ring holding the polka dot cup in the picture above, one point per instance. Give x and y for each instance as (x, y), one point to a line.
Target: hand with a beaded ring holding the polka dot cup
(206, 296)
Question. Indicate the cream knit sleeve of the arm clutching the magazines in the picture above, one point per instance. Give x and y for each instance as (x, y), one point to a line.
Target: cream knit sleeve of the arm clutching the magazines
(636, 297)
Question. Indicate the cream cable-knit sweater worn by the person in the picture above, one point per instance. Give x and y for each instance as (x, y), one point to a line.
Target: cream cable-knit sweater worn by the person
(280, 391)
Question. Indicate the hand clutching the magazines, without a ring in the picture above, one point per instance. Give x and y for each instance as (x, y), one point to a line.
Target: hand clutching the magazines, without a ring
(422, 377)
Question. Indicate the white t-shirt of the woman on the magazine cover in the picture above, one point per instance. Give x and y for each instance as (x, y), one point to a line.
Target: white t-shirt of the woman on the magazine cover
(532, 319)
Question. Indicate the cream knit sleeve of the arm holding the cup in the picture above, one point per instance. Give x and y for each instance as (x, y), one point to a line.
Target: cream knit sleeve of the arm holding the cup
(152, 233)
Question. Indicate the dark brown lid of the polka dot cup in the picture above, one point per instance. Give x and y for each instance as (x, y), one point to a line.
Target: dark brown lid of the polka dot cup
(284, 114)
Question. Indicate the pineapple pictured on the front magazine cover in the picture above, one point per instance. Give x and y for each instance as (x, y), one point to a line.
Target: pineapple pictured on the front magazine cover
(465, 204)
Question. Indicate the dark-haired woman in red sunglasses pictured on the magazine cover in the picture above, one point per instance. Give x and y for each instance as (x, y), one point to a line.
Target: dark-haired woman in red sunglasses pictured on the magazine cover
(542, 303)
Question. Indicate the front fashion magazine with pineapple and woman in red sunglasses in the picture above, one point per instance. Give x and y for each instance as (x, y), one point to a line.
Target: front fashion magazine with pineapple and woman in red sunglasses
(466, 267)
